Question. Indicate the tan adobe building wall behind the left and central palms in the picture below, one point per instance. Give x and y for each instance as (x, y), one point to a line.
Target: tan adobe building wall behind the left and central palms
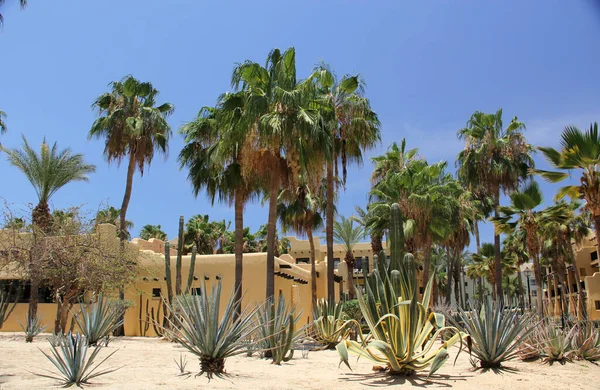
(293, 284)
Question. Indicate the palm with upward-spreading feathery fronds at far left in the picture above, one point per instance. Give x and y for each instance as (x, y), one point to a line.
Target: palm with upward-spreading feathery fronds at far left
(48, 171)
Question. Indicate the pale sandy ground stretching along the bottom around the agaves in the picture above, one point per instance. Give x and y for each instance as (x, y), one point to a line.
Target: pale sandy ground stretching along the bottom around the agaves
(148, 364)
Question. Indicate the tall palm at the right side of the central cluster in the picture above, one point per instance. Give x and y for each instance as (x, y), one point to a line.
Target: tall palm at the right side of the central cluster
(353, 126)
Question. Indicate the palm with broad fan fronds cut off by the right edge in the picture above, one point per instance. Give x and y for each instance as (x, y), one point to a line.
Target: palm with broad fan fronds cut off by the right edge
(580, 150)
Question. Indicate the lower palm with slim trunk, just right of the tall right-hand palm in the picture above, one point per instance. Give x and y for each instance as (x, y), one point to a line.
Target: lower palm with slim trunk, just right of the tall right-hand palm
(522, 215)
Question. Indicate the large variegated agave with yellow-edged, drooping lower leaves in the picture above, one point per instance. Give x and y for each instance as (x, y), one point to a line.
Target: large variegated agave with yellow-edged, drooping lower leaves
(402, 333)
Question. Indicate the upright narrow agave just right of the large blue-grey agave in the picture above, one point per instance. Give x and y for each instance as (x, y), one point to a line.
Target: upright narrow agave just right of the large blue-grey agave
(277, 333)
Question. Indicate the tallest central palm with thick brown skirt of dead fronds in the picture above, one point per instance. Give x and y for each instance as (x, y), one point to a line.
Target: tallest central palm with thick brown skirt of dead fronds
(284, 138)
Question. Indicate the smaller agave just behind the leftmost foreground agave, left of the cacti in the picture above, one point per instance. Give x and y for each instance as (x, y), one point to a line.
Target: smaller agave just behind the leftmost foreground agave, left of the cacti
(98, 320)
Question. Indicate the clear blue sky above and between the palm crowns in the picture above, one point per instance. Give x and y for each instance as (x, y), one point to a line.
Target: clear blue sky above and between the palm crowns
(428, 66)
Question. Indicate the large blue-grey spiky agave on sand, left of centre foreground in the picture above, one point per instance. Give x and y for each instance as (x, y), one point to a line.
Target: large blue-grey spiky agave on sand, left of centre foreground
(210, 335)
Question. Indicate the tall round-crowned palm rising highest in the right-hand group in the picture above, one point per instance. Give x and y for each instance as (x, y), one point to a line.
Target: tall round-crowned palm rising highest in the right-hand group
(495, 160)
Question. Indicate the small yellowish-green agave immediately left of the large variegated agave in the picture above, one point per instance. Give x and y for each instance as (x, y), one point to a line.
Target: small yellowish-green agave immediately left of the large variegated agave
(330, 324)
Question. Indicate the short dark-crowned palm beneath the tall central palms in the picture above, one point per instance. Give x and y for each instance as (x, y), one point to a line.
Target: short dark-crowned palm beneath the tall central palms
(300, 211)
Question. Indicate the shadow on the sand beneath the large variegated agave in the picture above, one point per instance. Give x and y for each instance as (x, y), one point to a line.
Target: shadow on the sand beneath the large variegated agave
(382, 379)
